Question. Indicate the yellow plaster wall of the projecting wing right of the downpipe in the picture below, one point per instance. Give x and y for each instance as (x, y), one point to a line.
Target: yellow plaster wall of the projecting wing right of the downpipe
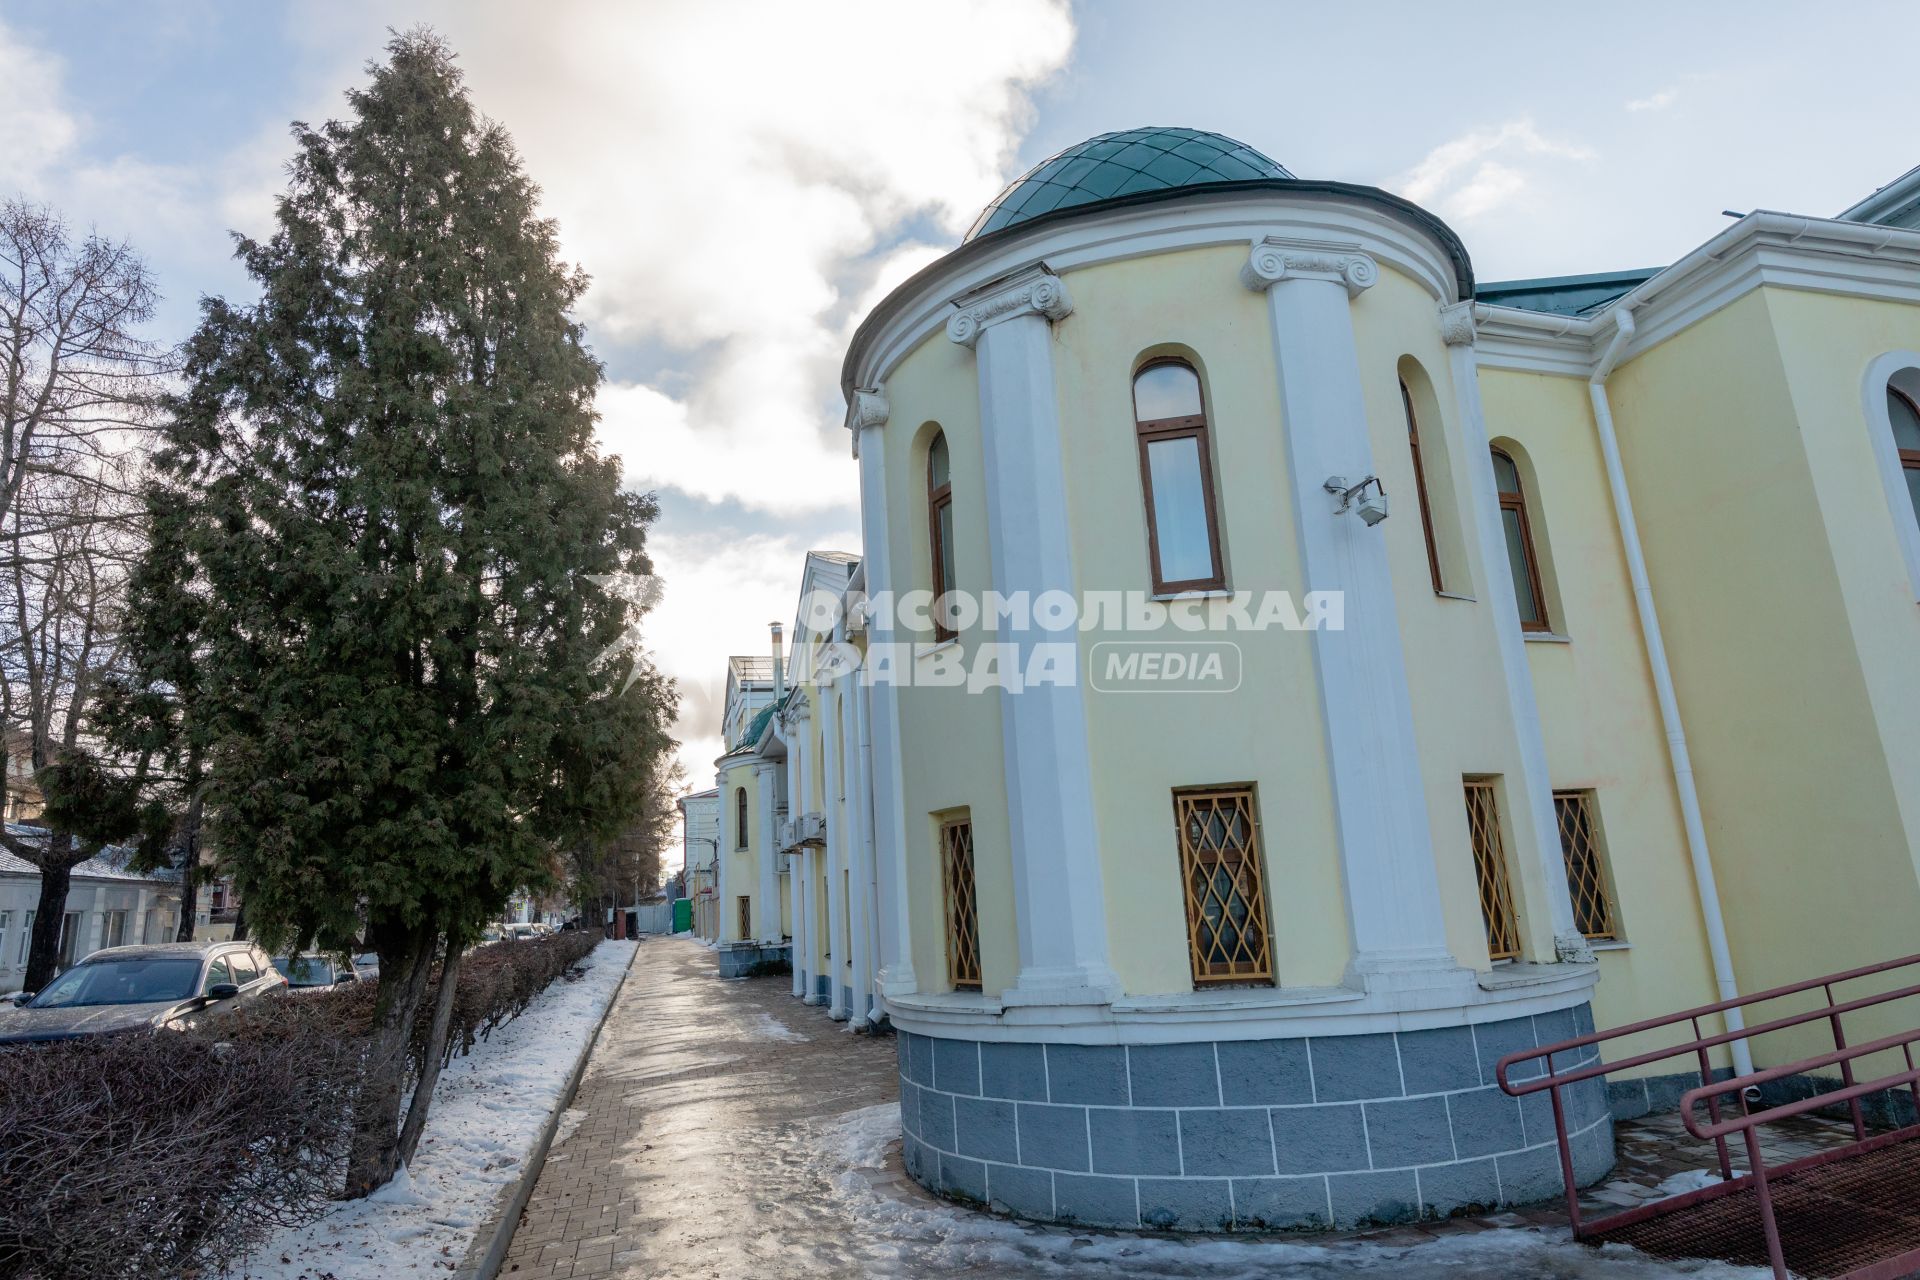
(1717, 429)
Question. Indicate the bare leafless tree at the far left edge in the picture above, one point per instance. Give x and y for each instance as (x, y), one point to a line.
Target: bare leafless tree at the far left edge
(76, 391)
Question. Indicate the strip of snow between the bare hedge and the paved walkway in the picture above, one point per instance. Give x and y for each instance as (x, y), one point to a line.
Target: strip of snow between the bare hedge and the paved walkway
(489, 1112)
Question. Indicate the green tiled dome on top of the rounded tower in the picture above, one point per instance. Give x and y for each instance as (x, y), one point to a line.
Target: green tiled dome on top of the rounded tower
(1124, 164)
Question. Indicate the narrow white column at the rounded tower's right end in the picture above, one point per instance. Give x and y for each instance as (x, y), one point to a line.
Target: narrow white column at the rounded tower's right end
(1533, 818)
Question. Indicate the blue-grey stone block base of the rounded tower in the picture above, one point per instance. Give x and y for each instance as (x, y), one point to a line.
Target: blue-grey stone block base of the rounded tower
(1245, 1135)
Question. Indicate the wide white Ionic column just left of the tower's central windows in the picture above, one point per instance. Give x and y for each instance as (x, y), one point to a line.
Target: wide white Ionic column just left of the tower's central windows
(1059, 897)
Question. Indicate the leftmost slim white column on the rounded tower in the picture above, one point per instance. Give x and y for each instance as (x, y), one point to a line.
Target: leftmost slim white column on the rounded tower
(867, 415)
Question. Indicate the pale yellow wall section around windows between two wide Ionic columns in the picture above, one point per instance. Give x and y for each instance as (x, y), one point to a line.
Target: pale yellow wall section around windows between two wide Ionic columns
(1149, 744)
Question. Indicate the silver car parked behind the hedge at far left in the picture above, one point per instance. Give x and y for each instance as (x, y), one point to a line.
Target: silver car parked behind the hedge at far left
(141, 989)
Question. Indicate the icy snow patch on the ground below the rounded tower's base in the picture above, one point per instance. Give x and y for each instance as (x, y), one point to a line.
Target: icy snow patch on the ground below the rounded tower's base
(917, 1237)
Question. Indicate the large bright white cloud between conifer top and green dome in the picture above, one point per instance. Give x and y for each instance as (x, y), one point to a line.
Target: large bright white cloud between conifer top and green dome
(727, 176)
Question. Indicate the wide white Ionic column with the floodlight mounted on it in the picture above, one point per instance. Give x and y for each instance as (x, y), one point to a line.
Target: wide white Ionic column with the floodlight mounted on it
(1393, 888)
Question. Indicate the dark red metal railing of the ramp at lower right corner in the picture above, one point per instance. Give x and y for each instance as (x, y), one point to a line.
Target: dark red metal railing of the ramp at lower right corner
(1727, 1102)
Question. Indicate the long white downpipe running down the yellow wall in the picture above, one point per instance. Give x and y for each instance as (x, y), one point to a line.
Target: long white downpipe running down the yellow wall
(1664, 690)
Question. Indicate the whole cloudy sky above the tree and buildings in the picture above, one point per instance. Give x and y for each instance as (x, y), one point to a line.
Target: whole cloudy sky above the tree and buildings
(744, 181)
